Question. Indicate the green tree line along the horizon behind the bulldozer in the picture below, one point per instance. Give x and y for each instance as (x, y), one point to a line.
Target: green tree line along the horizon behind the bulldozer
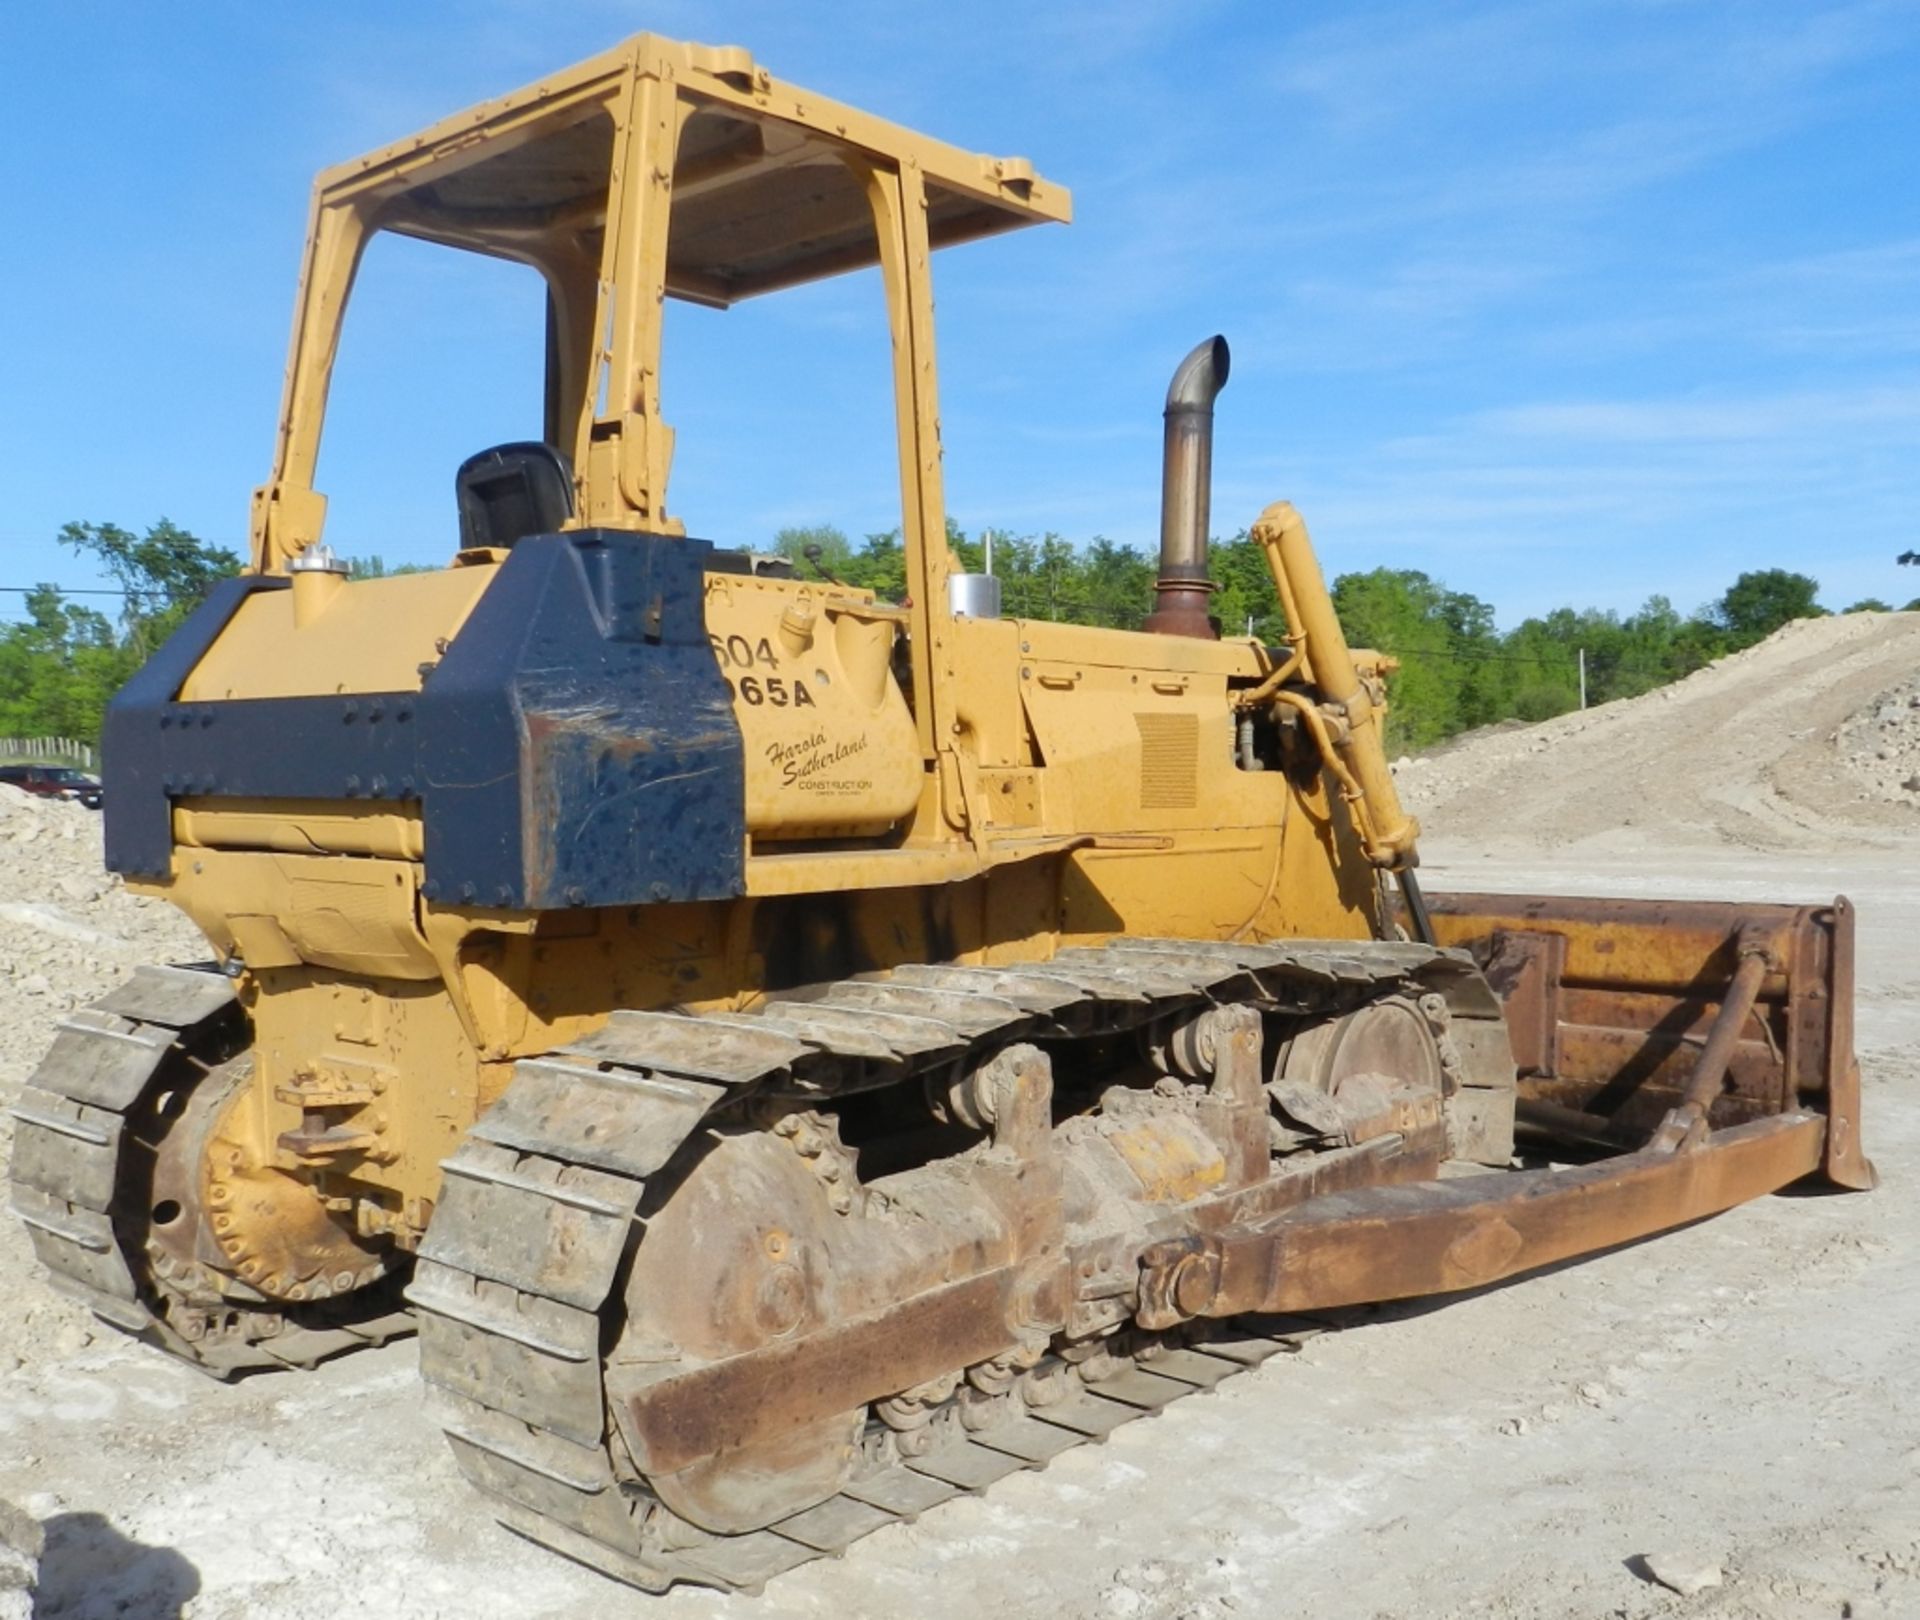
(1458, 671)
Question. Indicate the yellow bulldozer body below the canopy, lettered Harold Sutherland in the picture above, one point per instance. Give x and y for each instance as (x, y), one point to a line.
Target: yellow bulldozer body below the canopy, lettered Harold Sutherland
(1093, 780)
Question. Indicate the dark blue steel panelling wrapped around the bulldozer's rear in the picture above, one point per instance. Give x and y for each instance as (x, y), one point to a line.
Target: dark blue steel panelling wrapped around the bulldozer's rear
(573, 748)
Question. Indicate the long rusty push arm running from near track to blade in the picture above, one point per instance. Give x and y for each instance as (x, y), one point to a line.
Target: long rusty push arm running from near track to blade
(1403, 1243)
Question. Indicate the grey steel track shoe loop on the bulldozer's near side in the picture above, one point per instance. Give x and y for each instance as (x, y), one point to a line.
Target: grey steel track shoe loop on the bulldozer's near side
(521, 1272)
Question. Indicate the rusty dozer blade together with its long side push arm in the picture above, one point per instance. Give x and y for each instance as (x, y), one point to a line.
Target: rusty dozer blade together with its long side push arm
(1708, 1045)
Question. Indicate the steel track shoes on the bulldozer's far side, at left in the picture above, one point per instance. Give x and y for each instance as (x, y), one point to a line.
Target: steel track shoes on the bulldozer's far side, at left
(78, 1187)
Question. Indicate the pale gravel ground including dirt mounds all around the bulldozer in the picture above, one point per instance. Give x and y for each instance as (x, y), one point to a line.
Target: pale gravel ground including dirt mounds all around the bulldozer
(1733, 1400)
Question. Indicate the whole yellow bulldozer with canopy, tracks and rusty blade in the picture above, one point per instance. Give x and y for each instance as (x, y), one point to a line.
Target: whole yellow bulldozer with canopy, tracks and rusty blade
(796, 1057)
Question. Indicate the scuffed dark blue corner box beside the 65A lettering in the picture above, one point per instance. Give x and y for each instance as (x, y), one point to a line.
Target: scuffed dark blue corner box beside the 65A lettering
(588, 665)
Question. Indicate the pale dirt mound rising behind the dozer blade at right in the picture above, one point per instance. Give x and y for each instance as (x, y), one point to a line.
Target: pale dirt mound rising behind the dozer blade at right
(1800, 744)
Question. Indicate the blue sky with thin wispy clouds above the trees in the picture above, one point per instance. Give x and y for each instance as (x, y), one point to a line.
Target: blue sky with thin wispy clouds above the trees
(1556, 302)
